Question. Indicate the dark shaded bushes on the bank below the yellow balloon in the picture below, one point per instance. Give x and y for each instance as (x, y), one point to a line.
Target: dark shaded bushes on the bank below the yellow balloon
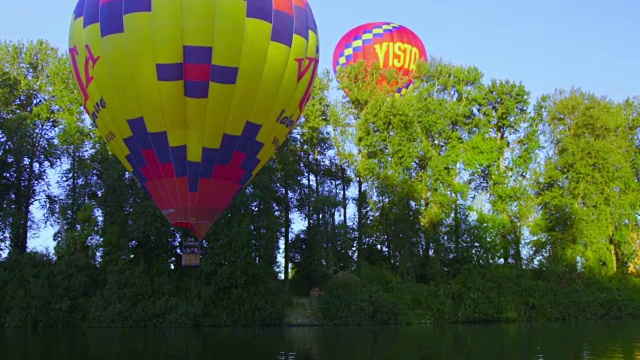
(37, 292)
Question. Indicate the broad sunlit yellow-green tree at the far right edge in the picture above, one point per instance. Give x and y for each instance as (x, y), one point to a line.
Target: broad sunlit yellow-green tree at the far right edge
(588, 192)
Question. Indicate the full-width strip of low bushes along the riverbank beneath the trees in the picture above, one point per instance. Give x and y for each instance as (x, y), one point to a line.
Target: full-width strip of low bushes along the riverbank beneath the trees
(36, 292)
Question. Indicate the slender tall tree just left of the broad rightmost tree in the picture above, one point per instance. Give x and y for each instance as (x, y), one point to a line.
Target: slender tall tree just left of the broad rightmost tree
(500, 160)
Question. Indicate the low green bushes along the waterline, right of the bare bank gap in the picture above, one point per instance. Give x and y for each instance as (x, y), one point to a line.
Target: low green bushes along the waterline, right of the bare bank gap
(377, 297)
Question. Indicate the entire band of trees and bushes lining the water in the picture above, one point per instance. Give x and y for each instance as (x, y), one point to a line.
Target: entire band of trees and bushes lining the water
(466, 200)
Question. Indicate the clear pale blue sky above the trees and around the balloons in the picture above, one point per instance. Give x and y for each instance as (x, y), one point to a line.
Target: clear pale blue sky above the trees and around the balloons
(545, 44)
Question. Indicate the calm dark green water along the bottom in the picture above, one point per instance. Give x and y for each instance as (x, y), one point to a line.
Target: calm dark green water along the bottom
(601, 340)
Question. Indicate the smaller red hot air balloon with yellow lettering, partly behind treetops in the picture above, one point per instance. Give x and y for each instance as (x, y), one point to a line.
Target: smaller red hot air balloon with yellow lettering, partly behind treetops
(391, 45)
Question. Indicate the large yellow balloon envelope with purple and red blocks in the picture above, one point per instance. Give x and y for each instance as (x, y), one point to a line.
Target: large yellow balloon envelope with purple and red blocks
(194, 96)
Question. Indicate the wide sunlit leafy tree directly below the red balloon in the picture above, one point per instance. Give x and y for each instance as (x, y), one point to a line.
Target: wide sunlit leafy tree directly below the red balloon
(411, 151)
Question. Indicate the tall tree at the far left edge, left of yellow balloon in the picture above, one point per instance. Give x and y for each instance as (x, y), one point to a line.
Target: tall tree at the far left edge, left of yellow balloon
(30, 125)
